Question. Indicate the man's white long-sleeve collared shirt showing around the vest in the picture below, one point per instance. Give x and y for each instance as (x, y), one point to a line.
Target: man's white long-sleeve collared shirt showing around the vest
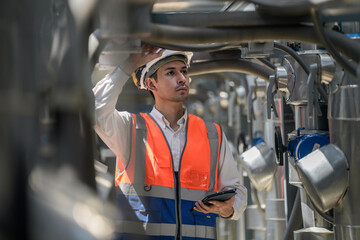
(114, 128)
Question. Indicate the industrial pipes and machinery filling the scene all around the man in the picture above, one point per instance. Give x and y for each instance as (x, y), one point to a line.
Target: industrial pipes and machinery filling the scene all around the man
(281, 78)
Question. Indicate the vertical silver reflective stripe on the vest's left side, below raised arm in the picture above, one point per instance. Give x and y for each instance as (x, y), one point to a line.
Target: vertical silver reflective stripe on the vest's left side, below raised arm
(140, 155)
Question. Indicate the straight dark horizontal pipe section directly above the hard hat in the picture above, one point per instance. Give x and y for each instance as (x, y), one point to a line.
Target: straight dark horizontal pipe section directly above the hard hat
(190, 35)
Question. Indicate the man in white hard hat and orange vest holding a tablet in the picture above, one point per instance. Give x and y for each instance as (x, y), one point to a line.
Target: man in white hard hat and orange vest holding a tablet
(167, 160)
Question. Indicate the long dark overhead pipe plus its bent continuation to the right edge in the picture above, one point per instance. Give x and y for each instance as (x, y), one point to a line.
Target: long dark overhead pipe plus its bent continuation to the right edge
(168, 34)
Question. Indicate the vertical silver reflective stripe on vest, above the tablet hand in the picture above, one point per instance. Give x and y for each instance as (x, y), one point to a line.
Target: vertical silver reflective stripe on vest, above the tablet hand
(214, 148)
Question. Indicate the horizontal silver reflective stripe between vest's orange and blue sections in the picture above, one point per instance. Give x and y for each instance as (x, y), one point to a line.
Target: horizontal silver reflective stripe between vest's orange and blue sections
(163, 192)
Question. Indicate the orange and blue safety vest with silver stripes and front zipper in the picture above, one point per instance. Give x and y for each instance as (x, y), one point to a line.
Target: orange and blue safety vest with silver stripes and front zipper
(149, 175)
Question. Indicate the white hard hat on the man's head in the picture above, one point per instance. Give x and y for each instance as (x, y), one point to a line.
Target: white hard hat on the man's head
(151, 67)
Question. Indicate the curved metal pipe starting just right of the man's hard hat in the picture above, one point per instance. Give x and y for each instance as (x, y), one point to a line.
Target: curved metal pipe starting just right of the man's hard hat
(242, 66)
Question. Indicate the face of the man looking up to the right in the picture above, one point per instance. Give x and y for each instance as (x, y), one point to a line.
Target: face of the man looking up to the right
(172, 82)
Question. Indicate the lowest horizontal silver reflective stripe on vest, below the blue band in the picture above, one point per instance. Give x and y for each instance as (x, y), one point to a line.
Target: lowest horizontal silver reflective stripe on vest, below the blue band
(164, 229)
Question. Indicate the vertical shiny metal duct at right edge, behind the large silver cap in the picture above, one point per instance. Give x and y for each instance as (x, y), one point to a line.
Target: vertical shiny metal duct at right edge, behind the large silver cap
(344, 119)
